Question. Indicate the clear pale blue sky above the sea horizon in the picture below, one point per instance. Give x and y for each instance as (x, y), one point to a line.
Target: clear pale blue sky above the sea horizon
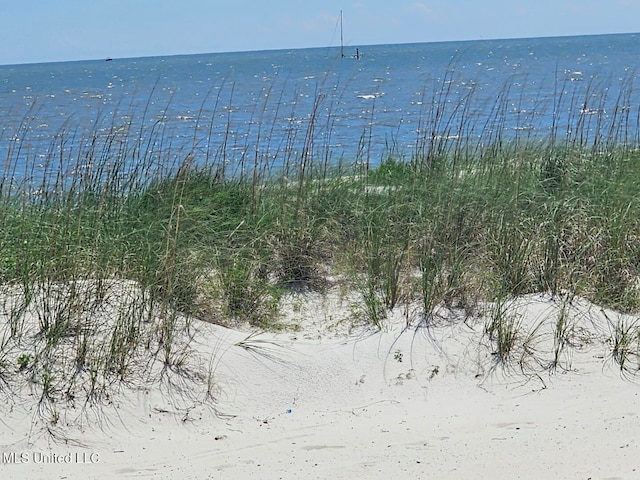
(33, 31)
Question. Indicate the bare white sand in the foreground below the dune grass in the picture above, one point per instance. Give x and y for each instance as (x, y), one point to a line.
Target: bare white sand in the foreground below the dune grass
(328, 401)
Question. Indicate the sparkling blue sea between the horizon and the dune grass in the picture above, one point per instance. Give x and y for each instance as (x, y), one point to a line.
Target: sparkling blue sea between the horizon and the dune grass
(272, 106)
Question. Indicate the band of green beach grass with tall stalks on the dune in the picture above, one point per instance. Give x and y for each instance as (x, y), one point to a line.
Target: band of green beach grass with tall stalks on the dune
(105, 263)
